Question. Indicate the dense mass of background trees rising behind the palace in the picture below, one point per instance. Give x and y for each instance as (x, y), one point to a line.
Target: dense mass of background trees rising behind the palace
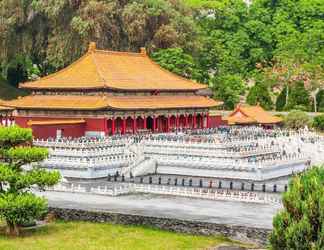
(280, 42)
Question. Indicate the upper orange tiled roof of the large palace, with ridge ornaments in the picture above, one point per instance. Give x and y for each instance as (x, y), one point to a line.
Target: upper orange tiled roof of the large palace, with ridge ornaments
(113, 70)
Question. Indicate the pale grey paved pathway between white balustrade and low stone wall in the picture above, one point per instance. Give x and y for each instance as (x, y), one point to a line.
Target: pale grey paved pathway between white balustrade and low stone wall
(223, 212)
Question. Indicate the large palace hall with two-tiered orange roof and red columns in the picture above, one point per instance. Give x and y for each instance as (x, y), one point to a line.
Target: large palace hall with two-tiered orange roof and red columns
(106, 93)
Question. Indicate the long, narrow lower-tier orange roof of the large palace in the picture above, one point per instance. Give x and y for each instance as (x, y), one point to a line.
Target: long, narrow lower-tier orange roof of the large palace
(74, 102)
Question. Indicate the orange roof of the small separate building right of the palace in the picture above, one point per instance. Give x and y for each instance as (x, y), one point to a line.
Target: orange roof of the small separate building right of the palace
(252, 114)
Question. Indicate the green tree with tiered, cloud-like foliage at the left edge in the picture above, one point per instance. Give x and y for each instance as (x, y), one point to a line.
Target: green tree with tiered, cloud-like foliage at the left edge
(17, 204)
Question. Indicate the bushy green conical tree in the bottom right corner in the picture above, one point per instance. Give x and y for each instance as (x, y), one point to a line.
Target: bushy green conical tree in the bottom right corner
(300, 225)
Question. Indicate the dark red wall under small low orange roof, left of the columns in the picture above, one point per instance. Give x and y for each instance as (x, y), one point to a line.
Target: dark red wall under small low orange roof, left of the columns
(68, 130)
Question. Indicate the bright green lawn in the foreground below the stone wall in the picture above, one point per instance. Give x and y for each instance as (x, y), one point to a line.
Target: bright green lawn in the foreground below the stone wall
(86, 235)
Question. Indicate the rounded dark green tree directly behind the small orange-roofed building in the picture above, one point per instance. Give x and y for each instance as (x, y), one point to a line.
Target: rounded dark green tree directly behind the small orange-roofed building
(259, 94)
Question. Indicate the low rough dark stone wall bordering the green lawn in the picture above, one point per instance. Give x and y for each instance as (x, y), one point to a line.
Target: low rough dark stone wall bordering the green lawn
(247, 234)
